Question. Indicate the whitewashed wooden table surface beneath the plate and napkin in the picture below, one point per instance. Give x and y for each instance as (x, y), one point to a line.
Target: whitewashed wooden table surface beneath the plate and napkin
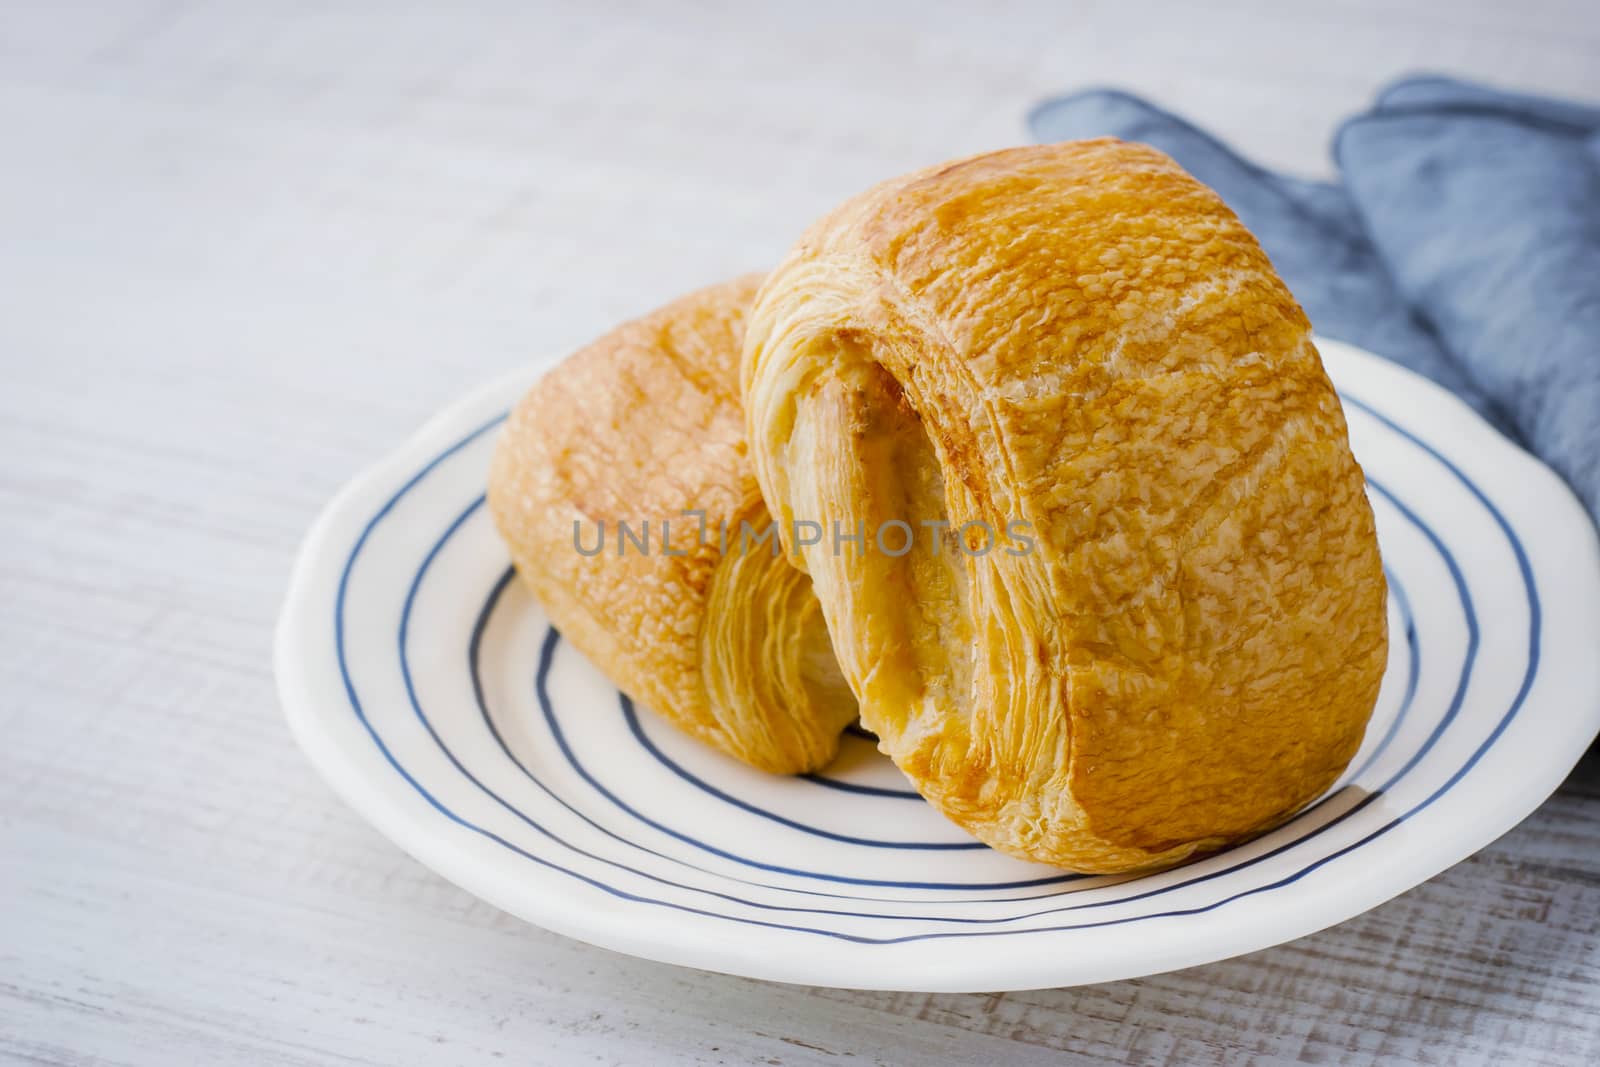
(246, 250)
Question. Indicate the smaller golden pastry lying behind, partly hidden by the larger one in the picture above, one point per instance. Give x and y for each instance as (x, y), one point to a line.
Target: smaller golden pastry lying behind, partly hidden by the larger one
(639, 428)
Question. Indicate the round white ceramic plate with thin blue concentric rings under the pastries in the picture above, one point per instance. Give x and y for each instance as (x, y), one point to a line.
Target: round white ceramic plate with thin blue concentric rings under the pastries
(434, 697)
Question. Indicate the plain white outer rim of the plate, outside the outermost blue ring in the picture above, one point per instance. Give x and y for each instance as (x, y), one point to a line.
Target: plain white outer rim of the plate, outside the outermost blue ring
(310, 706)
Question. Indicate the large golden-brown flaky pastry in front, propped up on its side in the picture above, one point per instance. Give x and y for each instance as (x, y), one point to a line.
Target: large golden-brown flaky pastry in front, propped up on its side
(1084, 340)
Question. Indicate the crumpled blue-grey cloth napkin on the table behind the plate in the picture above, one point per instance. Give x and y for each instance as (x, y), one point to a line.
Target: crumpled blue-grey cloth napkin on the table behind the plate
(1462, 242)
